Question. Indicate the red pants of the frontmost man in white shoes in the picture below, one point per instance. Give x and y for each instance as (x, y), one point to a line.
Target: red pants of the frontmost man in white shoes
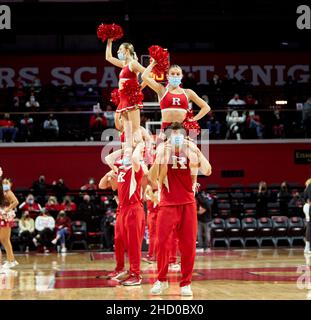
(184, 218)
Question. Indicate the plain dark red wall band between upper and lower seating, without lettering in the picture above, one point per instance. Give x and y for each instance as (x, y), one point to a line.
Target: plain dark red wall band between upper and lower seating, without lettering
(75, 164)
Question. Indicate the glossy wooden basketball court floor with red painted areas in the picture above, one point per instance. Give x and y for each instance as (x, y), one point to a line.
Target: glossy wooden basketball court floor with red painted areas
(218, 275)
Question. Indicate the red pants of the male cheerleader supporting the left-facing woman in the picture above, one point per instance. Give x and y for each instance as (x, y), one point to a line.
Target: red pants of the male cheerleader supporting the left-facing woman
(132, 227)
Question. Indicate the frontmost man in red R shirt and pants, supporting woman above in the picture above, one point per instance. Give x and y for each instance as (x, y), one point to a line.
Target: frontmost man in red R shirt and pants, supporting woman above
(172, 169)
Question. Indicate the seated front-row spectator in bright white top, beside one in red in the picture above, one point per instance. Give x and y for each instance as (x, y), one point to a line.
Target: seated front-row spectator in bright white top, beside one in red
(44, 225)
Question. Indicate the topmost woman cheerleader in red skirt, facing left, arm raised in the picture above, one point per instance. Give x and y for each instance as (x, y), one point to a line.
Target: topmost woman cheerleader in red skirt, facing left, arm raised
(129, 106)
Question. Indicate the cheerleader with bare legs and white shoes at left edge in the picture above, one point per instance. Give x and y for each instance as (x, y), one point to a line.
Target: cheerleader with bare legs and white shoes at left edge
(8, 202)
